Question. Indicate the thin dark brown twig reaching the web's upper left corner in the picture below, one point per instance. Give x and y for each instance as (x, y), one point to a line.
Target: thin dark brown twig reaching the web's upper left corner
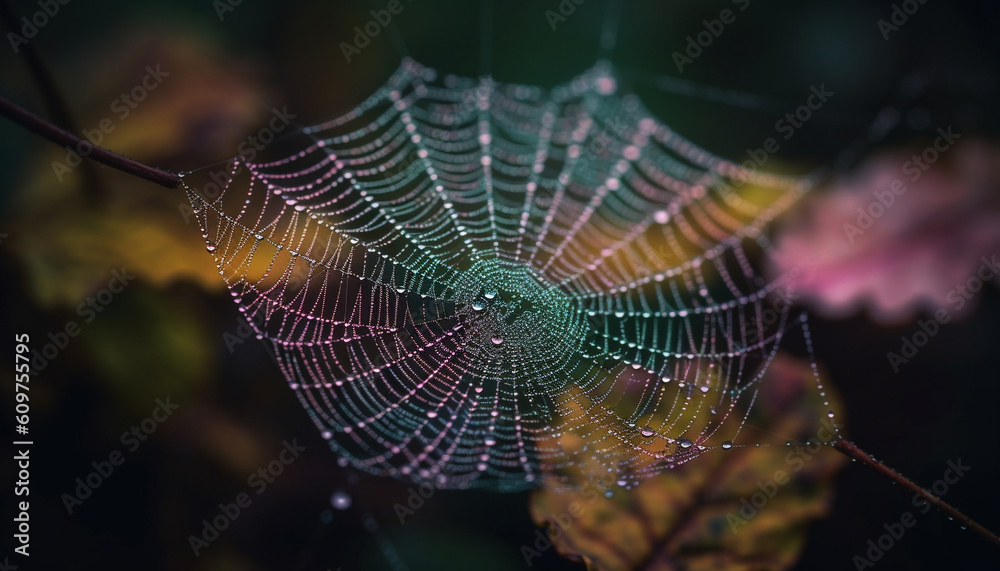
(46, 129)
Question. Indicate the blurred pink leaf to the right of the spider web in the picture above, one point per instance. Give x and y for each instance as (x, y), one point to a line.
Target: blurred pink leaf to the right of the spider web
(897, 235)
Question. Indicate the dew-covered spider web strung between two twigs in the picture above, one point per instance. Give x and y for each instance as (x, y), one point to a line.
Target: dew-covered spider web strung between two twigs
(462, 281)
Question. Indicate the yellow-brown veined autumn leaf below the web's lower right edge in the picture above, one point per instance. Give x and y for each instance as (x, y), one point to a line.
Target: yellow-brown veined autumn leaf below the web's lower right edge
(743, 508)
